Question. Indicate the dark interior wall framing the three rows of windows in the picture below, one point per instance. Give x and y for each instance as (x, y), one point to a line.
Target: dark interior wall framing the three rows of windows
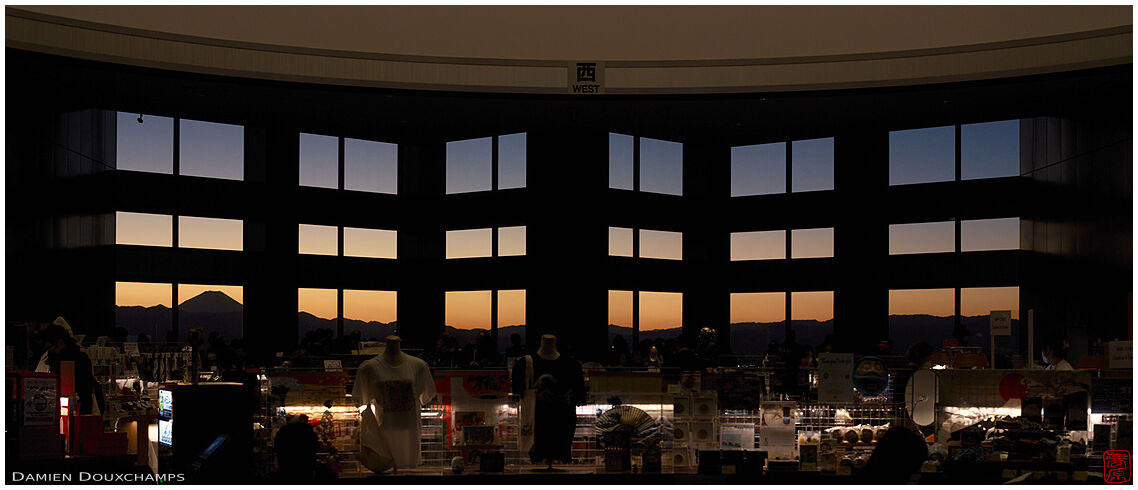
(567, 205)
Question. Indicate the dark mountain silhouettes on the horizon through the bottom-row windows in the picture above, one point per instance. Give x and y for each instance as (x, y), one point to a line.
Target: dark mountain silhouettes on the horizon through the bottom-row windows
(215, 311)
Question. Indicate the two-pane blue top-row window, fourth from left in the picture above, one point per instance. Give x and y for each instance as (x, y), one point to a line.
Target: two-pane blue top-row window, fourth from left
(661, 165)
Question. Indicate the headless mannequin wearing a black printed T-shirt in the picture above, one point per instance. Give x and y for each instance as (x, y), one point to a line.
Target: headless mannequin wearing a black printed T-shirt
(551, 385)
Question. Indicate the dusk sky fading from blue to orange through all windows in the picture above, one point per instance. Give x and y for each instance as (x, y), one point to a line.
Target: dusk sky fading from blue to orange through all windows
(919, 155)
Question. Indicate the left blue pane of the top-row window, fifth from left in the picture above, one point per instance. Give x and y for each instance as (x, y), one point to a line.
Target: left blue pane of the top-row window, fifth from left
(758, 170)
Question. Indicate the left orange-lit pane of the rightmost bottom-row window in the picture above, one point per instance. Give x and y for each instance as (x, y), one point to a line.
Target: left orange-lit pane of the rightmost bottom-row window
(919, 315)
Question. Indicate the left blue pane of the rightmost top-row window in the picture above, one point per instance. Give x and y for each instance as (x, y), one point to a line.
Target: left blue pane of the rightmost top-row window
(927, 155)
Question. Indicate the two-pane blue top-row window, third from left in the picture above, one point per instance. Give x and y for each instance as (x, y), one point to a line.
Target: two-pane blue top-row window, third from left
(471, 164)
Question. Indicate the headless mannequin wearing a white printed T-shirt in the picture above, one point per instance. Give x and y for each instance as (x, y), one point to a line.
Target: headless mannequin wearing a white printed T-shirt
(390, 392)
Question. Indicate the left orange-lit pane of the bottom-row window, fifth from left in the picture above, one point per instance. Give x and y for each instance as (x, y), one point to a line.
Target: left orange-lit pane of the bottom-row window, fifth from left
(756, 321)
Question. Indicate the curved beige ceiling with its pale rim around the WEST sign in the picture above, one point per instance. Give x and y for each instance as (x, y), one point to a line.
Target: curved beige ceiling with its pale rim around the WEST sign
(640, 49)
